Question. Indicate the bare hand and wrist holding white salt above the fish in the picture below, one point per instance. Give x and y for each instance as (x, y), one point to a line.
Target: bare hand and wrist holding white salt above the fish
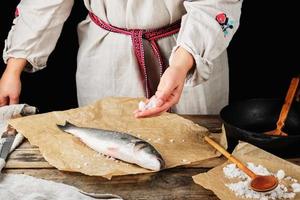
(171, 84)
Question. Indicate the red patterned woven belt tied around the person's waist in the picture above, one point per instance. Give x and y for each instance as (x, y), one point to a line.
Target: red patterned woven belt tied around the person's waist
(137, 35)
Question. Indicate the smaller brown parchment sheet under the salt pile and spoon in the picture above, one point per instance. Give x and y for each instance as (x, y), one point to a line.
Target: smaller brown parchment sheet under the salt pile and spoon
(215, 180)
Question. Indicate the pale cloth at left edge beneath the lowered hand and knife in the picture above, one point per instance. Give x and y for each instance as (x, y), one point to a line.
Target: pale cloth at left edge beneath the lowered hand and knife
(7, 112)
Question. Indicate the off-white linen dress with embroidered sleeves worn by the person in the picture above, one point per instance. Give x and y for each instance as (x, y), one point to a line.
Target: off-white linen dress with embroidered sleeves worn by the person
(107, 65)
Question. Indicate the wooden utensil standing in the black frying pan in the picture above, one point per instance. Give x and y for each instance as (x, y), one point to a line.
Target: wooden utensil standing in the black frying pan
(285, 109)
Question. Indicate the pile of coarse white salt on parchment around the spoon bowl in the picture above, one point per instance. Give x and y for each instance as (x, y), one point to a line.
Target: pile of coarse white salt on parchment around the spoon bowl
(286, 189)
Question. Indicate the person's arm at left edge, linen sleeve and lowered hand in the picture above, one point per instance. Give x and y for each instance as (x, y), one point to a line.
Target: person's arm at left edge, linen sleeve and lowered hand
(30, 41)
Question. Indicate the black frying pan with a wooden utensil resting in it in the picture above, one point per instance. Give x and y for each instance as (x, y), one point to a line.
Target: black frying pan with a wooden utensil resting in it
(247, 120)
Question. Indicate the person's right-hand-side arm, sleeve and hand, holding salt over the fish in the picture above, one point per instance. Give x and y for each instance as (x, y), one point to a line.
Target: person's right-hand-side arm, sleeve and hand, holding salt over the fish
(206, 30)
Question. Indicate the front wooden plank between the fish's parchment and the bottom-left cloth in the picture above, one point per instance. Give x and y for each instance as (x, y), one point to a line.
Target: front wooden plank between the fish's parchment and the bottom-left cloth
(168, 184)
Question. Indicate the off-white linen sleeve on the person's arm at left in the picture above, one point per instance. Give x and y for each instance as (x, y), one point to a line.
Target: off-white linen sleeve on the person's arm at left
(35, 31)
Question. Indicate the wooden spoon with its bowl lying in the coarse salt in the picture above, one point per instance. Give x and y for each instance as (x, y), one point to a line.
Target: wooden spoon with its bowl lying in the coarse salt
(258, 183)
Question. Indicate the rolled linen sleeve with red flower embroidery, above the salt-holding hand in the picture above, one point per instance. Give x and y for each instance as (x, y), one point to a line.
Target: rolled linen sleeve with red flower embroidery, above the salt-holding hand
(206, 30)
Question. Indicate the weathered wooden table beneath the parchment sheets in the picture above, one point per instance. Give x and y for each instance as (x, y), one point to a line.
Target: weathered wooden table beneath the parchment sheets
(173, 183)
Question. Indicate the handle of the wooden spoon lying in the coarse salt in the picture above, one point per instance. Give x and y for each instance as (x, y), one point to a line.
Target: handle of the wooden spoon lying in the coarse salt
(230, 157)
